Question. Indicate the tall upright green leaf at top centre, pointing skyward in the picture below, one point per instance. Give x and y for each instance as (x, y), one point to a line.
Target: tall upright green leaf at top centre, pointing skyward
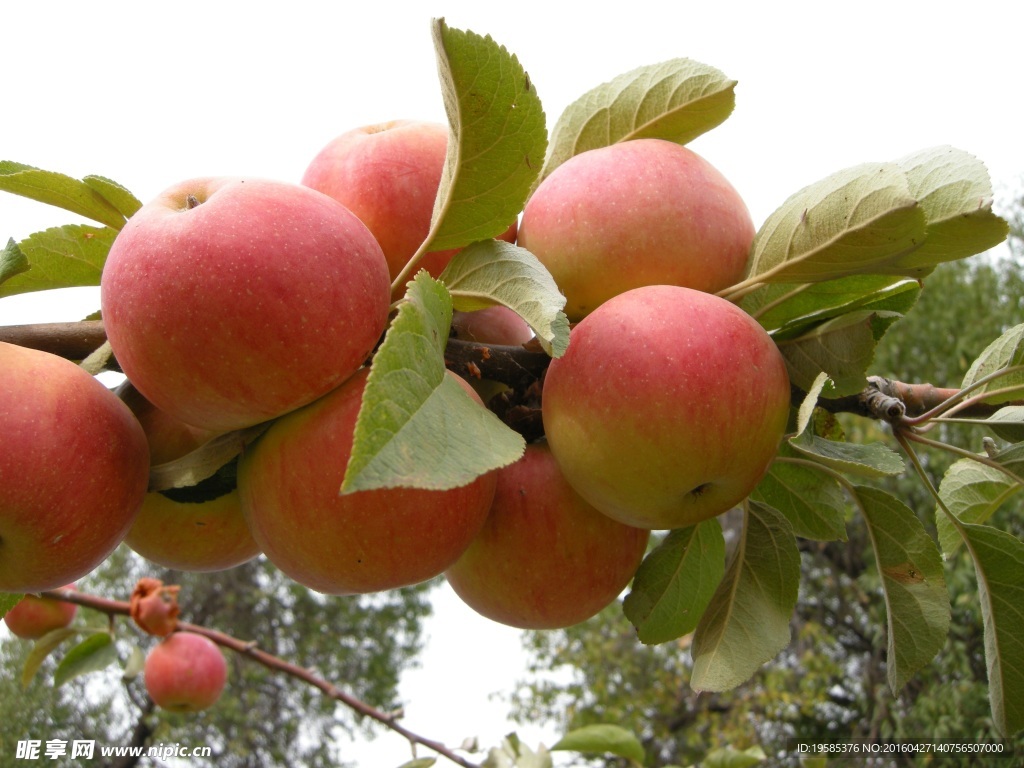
(497, 143)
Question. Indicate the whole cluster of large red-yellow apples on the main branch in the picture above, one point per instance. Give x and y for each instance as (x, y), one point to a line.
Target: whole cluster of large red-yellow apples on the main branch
(231, 303)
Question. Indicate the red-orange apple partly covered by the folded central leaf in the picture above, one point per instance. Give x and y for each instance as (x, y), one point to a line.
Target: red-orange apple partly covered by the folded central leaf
(355, 543)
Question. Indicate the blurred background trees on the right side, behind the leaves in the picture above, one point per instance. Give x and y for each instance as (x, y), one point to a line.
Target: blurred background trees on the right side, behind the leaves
(831, 681)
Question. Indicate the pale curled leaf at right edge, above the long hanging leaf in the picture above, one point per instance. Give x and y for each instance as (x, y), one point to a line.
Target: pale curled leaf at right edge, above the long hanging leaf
(972, 492)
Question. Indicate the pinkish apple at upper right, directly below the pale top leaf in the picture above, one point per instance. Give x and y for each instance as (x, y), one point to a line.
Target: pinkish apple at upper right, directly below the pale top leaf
(636, 214)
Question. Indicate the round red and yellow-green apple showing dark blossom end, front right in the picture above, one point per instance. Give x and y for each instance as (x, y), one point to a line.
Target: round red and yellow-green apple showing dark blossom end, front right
(668, 407)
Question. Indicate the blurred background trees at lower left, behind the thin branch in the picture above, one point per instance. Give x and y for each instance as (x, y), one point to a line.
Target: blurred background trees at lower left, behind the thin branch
(361, 643)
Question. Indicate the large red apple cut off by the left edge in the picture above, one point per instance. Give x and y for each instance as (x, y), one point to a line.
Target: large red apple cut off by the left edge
(74, 468)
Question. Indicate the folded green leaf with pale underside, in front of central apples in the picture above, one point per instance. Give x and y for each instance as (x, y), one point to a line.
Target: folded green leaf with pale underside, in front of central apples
(417, 426)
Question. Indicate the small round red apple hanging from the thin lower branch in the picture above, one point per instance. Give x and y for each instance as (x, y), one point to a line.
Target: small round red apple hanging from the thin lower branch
(186, 672)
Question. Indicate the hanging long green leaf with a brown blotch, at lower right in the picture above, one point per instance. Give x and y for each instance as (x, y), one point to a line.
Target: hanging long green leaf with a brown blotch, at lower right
(915, 588)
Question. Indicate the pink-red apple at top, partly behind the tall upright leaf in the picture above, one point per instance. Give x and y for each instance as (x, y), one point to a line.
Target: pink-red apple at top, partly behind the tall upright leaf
(389, 176)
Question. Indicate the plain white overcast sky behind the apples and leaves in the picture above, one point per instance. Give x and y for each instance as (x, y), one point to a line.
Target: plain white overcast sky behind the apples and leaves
(152, 94)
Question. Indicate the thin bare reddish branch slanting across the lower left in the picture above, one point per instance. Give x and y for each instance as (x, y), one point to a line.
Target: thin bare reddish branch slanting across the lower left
(250, 650)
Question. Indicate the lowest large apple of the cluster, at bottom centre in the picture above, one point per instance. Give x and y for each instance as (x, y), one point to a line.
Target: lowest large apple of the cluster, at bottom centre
(545, 559)
